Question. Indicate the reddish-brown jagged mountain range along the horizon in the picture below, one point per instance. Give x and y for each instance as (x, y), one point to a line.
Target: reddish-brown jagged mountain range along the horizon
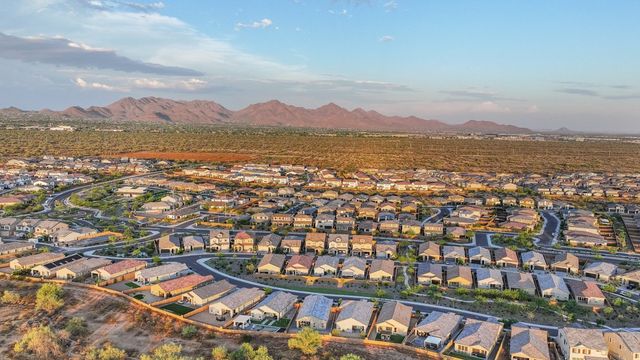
(271, 113)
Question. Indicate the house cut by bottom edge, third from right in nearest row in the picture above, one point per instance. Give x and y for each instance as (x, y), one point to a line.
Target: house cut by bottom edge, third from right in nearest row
(528, 343)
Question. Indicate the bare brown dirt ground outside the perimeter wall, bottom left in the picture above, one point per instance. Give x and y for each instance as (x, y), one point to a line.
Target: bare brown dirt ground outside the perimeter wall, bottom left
(112, 319)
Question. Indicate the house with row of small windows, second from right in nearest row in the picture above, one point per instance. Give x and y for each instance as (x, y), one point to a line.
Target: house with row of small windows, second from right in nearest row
(582, 344)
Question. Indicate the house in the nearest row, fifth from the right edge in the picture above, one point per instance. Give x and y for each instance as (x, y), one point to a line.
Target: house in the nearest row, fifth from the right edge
(437, 329)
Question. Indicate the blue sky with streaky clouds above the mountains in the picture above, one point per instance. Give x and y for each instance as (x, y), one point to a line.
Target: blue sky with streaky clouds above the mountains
(541, 64)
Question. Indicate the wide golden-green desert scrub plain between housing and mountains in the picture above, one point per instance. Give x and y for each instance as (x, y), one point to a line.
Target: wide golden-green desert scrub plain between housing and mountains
(346, 151)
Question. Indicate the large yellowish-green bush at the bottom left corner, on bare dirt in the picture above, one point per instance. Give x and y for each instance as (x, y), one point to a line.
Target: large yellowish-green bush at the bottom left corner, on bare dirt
(40, 343)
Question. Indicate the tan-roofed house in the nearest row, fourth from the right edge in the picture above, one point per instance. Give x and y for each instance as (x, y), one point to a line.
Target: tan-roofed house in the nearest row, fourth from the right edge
(478, 338)
